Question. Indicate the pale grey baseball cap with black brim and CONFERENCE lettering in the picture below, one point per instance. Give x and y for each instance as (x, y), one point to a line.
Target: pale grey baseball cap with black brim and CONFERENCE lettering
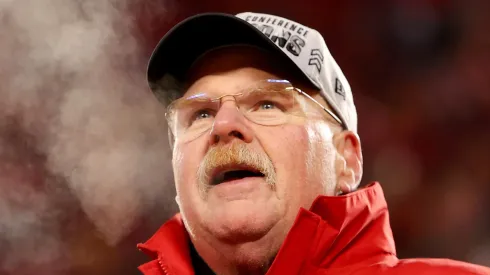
(305, 47)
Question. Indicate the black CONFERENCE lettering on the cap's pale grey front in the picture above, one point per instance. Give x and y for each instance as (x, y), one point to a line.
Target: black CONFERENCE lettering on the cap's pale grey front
(286, 34)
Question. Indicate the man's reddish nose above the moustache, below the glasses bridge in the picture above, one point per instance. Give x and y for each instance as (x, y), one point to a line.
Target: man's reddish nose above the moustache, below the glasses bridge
(229, 124)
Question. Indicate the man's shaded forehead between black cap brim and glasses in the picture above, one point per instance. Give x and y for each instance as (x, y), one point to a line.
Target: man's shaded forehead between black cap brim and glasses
(235, 67)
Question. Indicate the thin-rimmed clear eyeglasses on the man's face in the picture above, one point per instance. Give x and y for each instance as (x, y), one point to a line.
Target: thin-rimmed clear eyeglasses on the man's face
(268, 102)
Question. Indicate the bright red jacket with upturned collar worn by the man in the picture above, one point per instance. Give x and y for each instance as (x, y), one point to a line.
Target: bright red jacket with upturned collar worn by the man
(339, 235)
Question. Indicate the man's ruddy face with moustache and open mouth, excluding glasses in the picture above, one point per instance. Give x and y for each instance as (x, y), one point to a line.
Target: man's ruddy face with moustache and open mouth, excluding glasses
(283, 167)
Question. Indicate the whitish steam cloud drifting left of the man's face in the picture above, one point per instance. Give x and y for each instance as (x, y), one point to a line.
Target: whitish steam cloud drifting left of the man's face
(73, 80)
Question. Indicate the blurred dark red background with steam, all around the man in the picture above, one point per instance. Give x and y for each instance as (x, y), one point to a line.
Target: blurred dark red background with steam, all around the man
(84, 162)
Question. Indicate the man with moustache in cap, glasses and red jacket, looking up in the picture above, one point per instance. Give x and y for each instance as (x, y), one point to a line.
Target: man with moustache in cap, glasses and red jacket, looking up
(263, 127)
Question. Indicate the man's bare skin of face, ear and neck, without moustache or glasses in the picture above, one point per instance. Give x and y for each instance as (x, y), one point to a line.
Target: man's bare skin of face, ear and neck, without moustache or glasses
(239, 229)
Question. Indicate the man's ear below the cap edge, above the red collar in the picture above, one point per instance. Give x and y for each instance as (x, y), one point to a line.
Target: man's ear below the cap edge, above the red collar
(349, 161)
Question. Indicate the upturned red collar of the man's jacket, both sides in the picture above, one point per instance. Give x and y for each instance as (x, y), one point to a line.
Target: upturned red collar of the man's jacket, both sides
(333, 232)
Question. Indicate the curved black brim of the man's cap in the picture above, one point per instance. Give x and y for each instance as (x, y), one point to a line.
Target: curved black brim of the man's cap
(188, 40)
